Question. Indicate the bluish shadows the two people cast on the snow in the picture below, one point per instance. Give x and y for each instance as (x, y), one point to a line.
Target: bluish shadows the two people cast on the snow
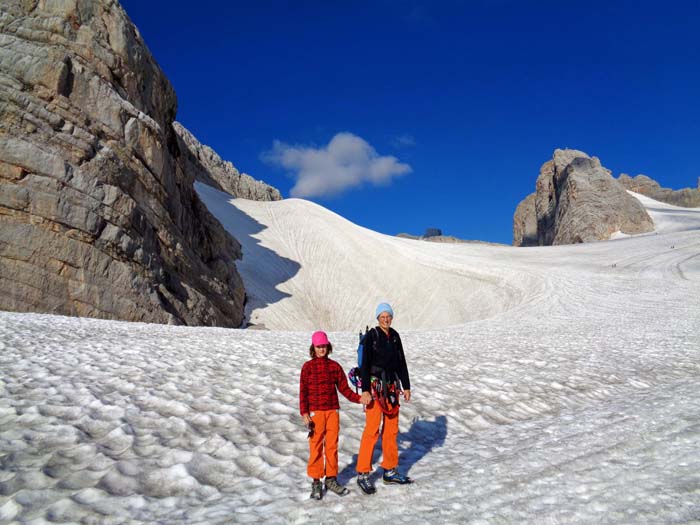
(414, 445)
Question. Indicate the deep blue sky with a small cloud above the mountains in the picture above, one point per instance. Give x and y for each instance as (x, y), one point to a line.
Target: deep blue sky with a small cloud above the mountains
(422, 114)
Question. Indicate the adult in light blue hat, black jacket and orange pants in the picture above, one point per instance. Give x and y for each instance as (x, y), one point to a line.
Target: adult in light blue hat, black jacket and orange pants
(384, 373)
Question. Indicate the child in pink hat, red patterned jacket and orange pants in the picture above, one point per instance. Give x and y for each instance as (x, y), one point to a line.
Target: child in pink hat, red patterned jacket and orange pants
(318, 405)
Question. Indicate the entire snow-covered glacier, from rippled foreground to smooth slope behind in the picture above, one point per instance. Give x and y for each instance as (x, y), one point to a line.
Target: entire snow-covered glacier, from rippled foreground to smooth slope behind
(550, 385)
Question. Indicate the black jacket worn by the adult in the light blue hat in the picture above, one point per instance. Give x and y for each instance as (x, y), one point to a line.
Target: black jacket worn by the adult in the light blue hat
(383, 352)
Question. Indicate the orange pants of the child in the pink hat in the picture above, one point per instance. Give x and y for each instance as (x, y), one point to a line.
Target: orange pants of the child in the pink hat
(324, 442)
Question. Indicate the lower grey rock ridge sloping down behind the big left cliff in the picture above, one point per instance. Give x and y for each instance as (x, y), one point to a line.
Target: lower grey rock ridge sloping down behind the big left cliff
(210, 169)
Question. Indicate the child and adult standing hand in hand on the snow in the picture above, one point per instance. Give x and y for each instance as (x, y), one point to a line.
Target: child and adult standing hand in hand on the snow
(383, 357)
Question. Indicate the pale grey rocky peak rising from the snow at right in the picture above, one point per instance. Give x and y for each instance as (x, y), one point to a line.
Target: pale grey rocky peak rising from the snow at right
(576, 200)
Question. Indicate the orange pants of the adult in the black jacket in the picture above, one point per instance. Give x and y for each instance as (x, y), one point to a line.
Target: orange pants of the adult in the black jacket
(390, 448)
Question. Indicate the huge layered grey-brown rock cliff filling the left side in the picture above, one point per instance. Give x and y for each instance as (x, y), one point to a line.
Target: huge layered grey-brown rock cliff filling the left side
(98, 215)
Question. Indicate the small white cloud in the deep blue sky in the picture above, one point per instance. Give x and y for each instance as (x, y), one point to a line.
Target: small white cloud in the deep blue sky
(346, 162)
